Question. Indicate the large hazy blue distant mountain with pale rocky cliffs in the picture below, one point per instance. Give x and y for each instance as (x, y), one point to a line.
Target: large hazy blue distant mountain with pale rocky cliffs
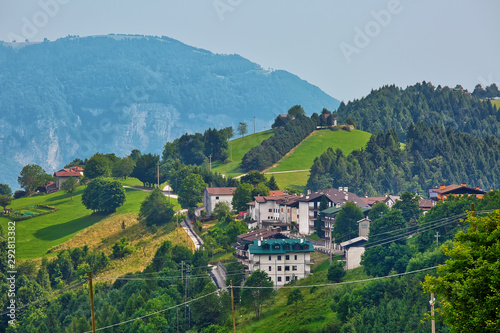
(76, 96)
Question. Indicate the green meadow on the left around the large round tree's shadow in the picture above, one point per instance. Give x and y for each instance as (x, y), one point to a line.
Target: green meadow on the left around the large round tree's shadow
(35, 236)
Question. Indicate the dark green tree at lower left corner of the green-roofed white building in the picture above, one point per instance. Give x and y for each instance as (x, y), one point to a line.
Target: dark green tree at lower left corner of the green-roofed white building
(254, 298)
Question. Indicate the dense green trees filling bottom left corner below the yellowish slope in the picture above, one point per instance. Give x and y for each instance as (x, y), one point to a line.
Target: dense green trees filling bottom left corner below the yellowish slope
(161, 285)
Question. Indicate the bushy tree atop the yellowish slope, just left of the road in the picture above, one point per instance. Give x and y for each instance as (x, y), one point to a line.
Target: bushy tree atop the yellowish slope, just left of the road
(155, 209)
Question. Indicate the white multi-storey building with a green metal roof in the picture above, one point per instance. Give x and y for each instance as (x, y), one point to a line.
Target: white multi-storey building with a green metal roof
(284, 260)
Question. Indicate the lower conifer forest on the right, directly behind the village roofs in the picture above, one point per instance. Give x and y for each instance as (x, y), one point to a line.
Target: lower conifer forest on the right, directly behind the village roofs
(432, 156)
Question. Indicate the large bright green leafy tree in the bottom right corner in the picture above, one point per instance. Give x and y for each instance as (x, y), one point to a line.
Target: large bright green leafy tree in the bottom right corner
(466, 287)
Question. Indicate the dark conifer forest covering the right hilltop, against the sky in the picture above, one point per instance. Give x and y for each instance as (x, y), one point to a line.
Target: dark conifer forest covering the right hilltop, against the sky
(393, 107)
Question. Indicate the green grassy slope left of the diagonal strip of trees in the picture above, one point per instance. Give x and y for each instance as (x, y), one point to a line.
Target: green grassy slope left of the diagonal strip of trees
(239, 147)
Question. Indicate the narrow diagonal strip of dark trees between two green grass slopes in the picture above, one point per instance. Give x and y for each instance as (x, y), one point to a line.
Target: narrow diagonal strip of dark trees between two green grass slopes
(274, 148)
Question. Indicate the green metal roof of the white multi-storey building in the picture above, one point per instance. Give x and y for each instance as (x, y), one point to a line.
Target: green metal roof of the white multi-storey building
(280, 246)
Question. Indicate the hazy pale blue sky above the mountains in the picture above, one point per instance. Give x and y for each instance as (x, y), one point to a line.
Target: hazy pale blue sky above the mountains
(344, 47)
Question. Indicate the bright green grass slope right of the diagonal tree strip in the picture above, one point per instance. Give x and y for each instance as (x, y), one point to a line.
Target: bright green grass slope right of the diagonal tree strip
(319, 141)
